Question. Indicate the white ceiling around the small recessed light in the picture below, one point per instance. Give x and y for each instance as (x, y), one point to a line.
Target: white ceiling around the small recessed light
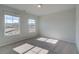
(46, 8)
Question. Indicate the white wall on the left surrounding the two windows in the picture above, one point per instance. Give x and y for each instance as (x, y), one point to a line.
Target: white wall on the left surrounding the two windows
(23, 25)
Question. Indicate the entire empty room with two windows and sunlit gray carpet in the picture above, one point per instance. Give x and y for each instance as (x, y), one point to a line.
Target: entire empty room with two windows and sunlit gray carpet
(39, 29)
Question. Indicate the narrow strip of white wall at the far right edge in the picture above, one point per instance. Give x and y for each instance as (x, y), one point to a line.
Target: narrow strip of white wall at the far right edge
(77, 26)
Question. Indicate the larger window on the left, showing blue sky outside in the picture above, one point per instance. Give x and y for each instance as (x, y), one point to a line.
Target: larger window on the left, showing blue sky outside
(12, 25)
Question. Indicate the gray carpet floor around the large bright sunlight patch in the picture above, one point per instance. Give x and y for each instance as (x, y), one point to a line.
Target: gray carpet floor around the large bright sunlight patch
(61, 47)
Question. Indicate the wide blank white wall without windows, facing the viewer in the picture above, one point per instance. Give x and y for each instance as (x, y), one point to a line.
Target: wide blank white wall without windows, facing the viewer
(60, 25)
